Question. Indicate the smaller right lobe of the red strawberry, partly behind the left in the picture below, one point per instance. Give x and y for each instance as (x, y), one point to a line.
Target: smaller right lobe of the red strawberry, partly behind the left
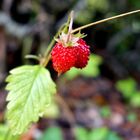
(83, 53)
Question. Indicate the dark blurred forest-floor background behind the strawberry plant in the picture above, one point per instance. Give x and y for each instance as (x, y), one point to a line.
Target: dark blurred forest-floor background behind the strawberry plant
(100, 102)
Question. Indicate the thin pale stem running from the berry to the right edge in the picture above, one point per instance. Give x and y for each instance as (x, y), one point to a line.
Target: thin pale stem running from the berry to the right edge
(104, 20)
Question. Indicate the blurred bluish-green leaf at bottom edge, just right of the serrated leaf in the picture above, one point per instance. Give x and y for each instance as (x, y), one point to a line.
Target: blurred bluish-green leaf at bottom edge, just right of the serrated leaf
(52, 133)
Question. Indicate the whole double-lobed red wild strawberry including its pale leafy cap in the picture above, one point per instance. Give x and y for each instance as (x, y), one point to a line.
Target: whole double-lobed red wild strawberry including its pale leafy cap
(69, 51)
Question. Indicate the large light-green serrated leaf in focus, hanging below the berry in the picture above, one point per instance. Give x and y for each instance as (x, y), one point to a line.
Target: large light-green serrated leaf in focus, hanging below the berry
(30, 92)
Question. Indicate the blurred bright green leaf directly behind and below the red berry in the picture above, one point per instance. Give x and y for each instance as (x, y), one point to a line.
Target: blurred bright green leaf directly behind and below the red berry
(91, 70)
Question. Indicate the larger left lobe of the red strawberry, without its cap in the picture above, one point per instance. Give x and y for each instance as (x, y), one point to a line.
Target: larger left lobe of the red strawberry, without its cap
(63, 58)
